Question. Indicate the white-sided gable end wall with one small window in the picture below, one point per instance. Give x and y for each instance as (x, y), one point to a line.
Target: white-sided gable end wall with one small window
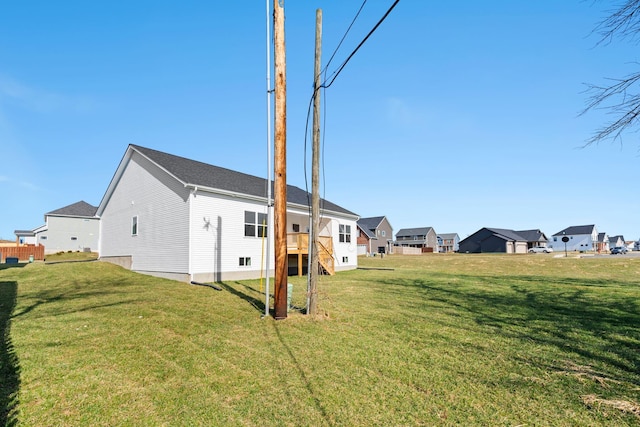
(161, 204)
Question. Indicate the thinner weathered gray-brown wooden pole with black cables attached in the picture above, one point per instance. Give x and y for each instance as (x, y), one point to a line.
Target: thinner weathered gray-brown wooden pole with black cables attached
(315, 175)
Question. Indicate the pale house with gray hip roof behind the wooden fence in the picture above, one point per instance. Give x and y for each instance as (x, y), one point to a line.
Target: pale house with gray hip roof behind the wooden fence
(71, 228)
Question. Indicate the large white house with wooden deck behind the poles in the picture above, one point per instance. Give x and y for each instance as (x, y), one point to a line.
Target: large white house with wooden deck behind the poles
(179, 218)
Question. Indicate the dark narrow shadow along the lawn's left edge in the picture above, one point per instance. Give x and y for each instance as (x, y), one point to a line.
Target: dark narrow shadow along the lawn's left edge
(9, 363)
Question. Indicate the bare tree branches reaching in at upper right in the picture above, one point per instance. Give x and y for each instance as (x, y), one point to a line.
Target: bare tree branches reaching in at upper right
(620, 98)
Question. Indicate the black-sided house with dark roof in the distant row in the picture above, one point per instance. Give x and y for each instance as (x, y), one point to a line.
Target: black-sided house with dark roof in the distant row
(494, 240)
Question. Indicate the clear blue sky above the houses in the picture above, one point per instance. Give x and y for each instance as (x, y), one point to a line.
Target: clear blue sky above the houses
(472, 107)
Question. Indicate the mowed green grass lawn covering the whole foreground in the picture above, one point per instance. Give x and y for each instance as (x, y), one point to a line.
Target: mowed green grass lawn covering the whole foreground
(427, 340)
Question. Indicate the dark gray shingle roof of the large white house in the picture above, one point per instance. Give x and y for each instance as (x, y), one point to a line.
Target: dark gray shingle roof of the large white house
(205, 175)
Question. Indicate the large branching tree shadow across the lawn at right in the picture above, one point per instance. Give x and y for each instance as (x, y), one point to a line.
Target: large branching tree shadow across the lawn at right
(593, 318)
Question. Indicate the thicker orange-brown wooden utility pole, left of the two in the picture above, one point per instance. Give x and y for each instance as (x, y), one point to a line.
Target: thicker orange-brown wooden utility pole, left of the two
(280, 165)
